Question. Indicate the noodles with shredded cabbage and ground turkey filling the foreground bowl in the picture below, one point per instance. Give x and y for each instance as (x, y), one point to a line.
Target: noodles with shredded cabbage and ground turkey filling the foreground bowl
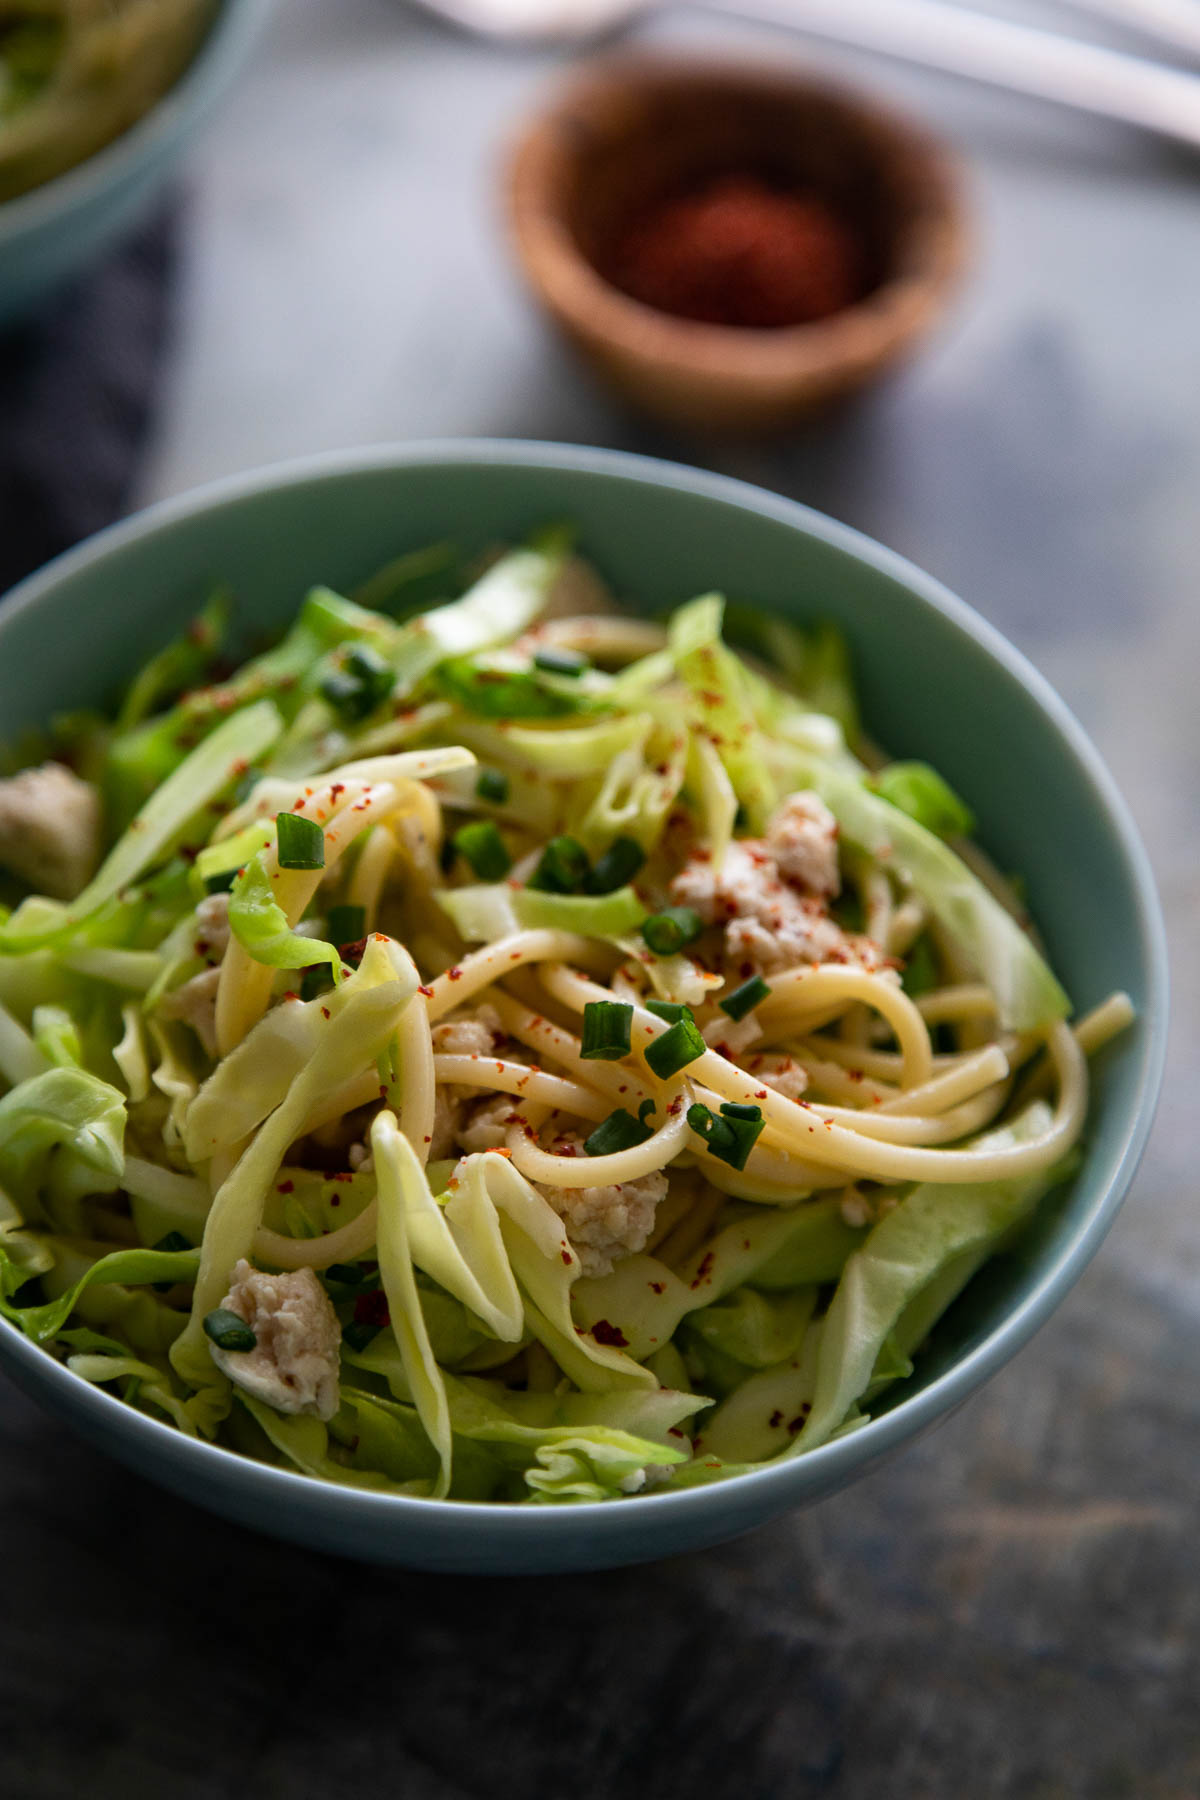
(510, 1052)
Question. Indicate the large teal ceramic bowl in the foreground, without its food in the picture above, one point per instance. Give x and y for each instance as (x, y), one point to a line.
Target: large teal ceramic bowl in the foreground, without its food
(936, 683)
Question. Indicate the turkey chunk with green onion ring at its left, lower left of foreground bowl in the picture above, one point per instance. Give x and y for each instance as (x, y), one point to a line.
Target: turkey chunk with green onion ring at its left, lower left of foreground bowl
(294, 1365)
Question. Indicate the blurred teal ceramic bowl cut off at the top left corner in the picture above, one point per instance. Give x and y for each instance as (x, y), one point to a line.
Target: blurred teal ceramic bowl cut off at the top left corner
(57, 229)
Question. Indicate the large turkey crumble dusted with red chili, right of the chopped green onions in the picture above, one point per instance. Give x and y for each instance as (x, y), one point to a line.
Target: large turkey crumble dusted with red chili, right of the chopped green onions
(773, 895)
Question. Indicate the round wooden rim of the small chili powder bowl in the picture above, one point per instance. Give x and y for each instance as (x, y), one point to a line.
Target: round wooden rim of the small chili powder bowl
(571, 285)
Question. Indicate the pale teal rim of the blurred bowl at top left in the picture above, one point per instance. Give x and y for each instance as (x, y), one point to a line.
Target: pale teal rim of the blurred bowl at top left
(228, 42)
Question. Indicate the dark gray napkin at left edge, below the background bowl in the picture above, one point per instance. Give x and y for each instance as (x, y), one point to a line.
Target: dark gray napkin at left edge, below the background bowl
(76, 400)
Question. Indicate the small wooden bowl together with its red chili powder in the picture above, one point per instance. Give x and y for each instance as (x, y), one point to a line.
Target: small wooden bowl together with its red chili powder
(733, 247)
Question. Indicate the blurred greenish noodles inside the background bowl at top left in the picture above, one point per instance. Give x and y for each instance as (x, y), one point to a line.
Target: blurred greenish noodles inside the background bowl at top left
(75, 75)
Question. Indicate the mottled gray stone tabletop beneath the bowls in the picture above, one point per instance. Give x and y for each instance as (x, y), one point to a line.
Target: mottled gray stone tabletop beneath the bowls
(1012, 1610)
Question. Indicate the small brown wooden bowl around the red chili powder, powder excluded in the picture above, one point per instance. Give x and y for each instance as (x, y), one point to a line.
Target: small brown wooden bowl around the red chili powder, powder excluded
(634, 130)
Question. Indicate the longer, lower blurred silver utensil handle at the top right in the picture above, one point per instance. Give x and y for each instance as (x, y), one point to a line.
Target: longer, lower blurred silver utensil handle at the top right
(1023, 58)
